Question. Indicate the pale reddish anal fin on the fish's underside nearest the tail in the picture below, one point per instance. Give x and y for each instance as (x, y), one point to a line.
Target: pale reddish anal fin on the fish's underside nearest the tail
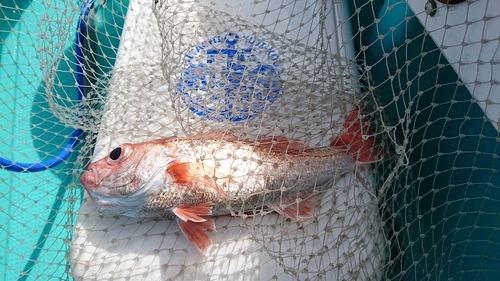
(295, 208)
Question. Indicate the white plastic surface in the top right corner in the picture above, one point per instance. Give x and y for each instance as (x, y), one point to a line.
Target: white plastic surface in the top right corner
(468, 35)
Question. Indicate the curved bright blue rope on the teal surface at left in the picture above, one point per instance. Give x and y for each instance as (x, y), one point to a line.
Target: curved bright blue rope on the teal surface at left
(73, 140)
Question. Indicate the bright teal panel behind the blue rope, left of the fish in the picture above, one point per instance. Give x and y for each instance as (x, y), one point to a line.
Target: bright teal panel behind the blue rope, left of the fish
(37, 210)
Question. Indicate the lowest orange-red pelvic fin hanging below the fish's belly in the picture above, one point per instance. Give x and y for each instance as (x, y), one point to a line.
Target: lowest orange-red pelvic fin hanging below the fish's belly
(195, 232)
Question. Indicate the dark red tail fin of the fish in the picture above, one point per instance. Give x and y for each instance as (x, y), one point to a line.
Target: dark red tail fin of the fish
(366, 150)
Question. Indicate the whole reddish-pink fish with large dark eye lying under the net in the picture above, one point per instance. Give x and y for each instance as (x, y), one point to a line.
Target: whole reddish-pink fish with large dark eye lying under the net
(193, 180)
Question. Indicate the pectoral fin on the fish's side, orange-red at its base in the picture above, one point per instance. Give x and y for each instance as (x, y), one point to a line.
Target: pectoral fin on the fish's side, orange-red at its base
(192, 173)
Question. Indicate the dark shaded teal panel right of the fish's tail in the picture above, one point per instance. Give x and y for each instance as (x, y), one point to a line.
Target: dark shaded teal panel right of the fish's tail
(452, 186)
